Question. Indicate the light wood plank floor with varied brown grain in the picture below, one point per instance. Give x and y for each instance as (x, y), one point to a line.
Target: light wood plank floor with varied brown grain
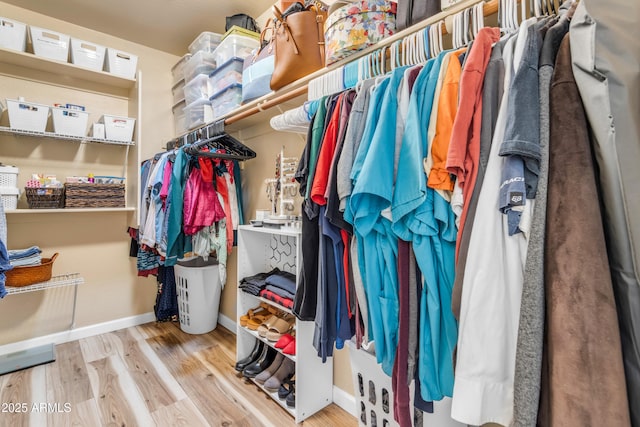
(149, 375)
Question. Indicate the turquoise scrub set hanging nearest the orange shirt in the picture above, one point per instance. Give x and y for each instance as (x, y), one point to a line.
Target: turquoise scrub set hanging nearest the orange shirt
(422, 216)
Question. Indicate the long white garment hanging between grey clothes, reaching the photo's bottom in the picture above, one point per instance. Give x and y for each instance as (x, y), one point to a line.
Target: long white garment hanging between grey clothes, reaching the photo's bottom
(483, 390)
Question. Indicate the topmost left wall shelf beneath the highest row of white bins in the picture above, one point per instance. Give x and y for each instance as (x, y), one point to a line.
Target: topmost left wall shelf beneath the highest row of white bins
(32, 67)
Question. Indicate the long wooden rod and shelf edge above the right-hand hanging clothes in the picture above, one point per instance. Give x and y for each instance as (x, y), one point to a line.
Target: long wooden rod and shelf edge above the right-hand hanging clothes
(490, 7)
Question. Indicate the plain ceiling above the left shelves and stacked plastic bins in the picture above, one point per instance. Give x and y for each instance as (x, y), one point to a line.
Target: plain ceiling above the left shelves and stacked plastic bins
(166, 25)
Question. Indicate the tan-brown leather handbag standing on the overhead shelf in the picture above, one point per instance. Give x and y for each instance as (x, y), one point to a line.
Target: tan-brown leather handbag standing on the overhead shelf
(299, 44)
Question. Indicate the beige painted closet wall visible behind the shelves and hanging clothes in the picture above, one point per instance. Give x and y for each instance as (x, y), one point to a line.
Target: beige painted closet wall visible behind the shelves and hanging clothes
(95, 245)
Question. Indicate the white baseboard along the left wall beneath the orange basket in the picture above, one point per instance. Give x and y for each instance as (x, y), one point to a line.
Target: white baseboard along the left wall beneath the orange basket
(79, 333)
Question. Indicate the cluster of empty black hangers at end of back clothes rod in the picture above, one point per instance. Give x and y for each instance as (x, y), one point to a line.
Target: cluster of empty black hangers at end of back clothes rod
(214, 137)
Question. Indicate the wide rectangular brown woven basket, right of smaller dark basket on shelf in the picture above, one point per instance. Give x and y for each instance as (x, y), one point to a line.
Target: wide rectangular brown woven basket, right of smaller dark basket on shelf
(94, 195)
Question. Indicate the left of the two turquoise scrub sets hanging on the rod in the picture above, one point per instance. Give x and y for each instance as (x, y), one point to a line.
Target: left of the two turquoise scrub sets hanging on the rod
(372, 193)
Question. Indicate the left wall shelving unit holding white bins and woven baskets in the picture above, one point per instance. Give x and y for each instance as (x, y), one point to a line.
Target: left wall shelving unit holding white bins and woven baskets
(50, 82)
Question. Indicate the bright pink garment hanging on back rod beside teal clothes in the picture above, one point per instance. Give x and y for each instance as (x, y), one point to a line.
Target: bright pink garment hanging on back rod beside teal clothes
(201, 205)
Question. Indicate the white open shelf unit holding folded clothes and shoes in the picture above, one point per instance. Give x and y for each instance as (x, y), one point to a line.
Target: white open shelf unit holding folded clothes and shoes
(261, 250)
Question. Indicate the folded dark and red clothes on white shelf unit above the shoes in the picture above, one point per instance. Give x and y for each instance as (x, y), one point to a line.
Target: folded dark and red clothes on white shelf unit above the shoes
(276, 285)
